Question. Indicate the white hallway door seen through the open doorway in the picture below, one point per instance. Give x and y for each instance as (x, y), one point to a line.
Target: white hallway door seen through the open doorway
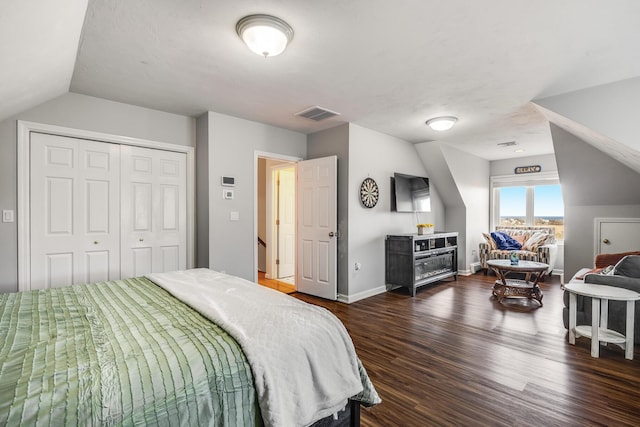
(286, 222)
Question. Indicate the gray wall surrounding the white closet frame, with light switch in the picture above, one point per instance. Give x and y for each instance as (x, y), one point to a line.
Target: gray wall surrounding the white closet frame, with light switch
(79, 112)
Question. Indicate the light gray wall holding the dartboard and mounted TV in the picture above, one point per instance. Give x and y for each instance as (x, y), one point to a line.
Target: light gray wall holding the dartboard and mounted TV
(365, 153)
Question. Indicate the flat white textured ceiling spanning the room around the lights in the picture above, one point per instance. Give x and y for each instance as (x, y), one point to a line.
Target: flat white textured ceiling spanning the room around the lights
(387, 66)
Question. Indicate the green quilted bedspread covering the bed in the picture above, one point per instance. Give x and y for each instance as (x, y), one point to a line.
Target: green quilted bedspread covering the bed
(118, 353)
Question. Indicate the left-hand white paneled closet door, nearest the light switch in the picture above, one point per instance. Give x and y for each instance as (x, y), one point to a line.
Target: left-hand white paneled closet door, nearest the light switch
(75, 211)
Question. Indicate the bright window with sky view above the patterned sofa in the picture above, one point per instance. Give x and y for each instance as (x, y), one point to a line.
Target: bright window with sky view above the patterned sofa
(528, 201)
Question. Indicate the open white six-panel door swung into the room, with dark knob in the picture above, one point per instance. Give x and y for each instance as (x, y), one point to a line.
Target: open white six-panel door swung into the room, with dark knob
(317, 227)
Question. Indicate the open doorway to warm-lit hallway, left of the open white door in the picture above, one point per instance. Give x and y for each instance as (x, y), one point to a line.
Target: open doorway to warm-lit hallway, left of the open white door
(276, 205)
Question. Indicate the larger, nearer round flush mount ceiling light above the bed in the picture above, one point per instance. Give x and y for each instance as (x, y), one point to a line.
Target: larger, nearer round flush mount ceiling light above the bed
(265, 35)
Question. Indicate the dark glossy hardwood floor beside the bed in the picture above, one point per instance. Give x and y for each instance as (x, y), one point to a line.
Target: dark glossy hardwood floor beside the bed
(453, 356)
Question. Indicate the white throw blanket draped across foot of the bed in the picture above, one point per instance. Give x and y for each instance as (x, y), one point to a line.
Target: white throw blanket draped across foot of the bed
(303, 360)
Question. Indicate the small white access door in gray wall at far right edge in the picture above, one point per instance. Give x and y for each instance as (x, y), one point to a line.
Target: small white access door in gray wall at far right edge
(614, 235)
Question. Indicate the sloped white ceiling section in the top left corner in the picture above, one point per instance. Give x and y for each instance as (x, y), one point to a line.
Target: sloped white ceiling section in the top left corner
(38, 46)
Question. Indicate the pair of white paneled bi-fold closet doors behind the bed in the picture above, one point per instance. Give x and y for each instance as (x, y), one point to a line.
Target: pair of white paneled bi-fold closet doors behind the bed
(101, 211)
